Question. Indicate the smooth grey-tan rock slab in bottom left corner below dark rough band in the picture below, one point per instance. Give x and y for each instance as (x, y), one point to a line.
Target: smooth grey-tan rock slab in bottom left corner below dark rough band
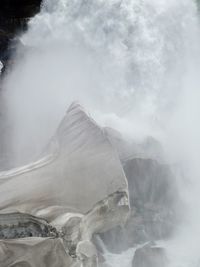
(34, 252)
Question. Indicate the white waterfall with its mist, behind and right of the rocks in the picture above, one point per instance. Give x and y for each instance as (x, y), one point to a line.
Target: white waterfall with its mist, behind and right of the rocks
(134, 64)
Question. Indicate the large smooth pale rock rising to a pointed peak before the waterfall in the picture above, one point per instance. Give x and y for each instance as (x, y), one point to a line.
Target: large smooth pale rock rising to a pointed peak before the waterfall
(80, 173)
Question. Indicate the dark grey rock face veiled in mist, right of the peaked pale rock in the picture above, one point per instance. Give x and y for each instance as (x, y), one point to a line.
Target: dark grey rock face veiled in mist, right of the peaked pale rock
(153, 200)
